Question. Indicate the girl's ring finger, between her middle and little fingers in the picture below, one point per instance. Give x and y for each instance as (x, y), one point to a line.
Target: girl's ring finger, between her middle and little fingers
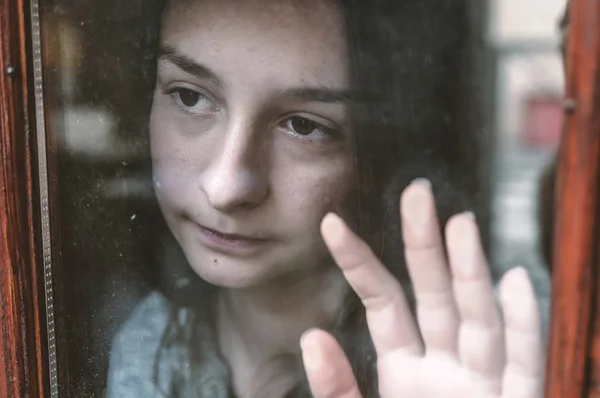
(481, 344)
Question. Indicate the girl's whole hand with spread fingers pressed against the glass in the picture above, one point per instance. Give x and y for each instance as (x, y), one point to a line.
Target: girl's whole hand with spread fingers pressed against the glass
(467, 350)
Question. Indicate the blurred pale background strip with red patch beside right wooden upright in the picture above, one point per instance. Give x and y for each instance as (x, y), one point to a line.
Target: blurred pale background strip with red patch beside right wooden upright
(526, 106)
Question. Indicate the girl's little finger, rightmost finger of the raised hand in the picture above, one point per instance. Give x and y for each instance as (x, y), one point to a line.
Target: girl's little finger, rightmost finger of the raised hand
(524, 372)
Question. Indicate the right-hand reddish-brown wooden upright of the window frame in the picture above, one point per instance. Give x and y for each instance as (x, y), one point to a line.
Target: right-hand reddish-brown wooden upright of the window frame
(574, 354)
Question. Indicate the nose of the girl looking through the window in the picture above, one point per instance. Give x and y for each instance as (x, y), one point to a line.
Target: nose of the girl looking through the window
(236, 178)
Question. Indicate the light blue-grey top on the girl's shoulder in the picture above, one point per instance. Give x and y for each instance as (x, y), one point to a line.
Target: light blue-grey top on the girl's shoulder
(134, 371)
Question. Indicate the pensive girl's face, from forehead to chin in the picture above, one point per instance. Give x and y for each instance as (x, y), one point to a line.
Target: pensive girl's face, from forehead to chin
(249, 133)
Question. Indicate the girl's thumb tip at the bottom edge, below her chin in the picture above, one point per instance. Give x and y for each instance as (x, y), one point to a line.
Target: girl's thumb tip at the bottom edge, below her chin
(327, 368)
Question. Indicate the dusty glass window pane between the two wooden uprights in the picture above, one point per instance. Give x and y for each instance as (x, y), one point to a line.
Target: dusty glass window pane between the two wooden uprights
(196, 145)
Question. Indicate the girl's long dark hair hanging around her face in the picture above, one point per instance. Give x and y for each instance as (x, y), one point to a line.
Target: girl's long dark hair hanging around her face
(414, 114)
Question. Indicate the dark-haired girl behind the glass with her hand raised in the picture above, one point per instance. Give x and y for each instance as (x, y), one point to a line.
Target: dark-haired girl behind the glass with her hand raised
(261, 130)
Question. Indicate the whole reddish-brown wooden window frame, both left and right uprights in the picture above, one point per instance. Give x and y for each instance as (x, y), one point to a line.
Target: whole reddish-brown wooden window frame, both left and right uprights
(574, 354)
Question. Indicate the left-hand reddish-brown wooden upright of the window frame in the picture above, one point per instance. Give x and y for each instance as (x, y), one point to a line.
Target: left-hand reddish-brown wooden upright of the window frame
(22, 337)
